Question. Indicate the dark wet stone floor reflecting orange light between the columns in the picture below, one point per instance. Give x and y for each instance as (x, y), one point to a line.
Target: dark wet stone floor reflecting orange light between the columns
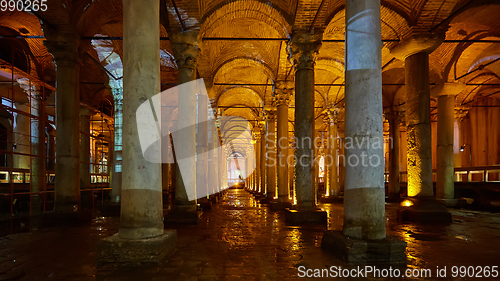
(241, 240)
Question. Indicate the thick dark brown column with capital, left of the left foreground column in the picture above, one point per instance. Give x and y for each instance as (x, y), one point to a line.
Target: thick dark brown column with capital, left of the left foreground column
(64, 49)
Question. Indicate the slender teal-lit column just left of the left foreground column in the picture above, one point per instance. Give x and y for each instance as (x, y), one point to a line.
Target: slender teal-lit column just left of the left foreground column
(116, 173)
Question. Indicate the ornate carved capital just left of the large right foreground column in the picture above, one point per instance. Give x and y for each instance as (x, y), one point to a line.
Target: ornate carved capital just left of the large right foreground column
(304, 48)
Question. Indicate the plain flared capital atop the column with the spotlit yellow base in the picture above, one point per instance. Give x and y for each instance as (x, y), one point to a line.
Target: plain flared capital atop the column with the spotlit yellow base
(417, 42)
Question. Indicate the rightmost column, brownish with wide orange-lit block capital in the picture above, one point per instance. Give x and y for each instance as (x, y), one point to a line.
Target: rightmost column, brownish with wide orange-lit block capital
(445, 186)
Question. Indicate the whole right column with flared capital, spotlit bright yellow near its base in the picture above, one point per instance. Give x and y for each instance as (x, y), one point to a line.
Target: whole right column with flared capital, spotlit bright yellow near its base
(420, 205)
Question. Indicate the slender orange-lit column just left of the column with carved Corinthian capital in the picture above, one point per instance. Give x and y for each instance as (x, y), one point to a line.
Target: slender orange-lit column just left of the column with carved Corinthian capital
(283, 93)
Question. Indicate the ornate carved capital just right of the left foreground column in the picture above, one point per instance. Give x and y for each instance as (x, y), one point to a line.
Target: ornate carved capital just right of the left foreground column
(186, 48)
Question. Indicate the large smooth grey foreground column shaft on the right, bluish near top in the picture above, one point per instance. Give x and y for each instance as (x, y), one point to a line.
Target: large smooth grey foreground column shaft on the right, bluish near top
(364, 205)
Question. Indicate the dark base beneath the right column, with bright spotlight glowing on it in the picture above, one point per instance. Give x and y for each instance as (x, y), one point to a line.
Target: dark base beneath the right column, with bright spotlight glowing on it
(423, 210)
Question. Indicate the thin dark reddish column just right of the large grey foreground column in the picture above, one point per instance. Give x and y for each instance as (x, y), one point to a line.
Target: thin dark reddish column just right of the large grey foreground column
(393, 117)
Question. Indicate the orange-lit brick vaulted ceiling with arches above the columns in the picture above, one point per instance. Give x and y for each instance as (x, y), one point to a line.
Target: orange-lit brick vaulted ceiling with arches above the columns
(264, 62)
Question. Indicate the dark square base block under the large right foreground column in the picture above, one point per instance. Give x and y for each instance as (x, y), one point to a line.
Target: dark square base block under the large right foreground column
(359, 251)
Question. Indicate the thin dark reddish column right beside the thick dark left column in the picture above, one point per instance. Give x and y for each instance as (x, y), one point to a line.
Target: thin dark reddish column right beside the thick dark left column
(85, 114)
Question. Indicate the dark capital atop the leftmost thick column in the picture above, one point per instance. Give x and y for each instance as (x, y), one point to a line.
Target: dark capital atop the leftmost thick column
(64, 47)
